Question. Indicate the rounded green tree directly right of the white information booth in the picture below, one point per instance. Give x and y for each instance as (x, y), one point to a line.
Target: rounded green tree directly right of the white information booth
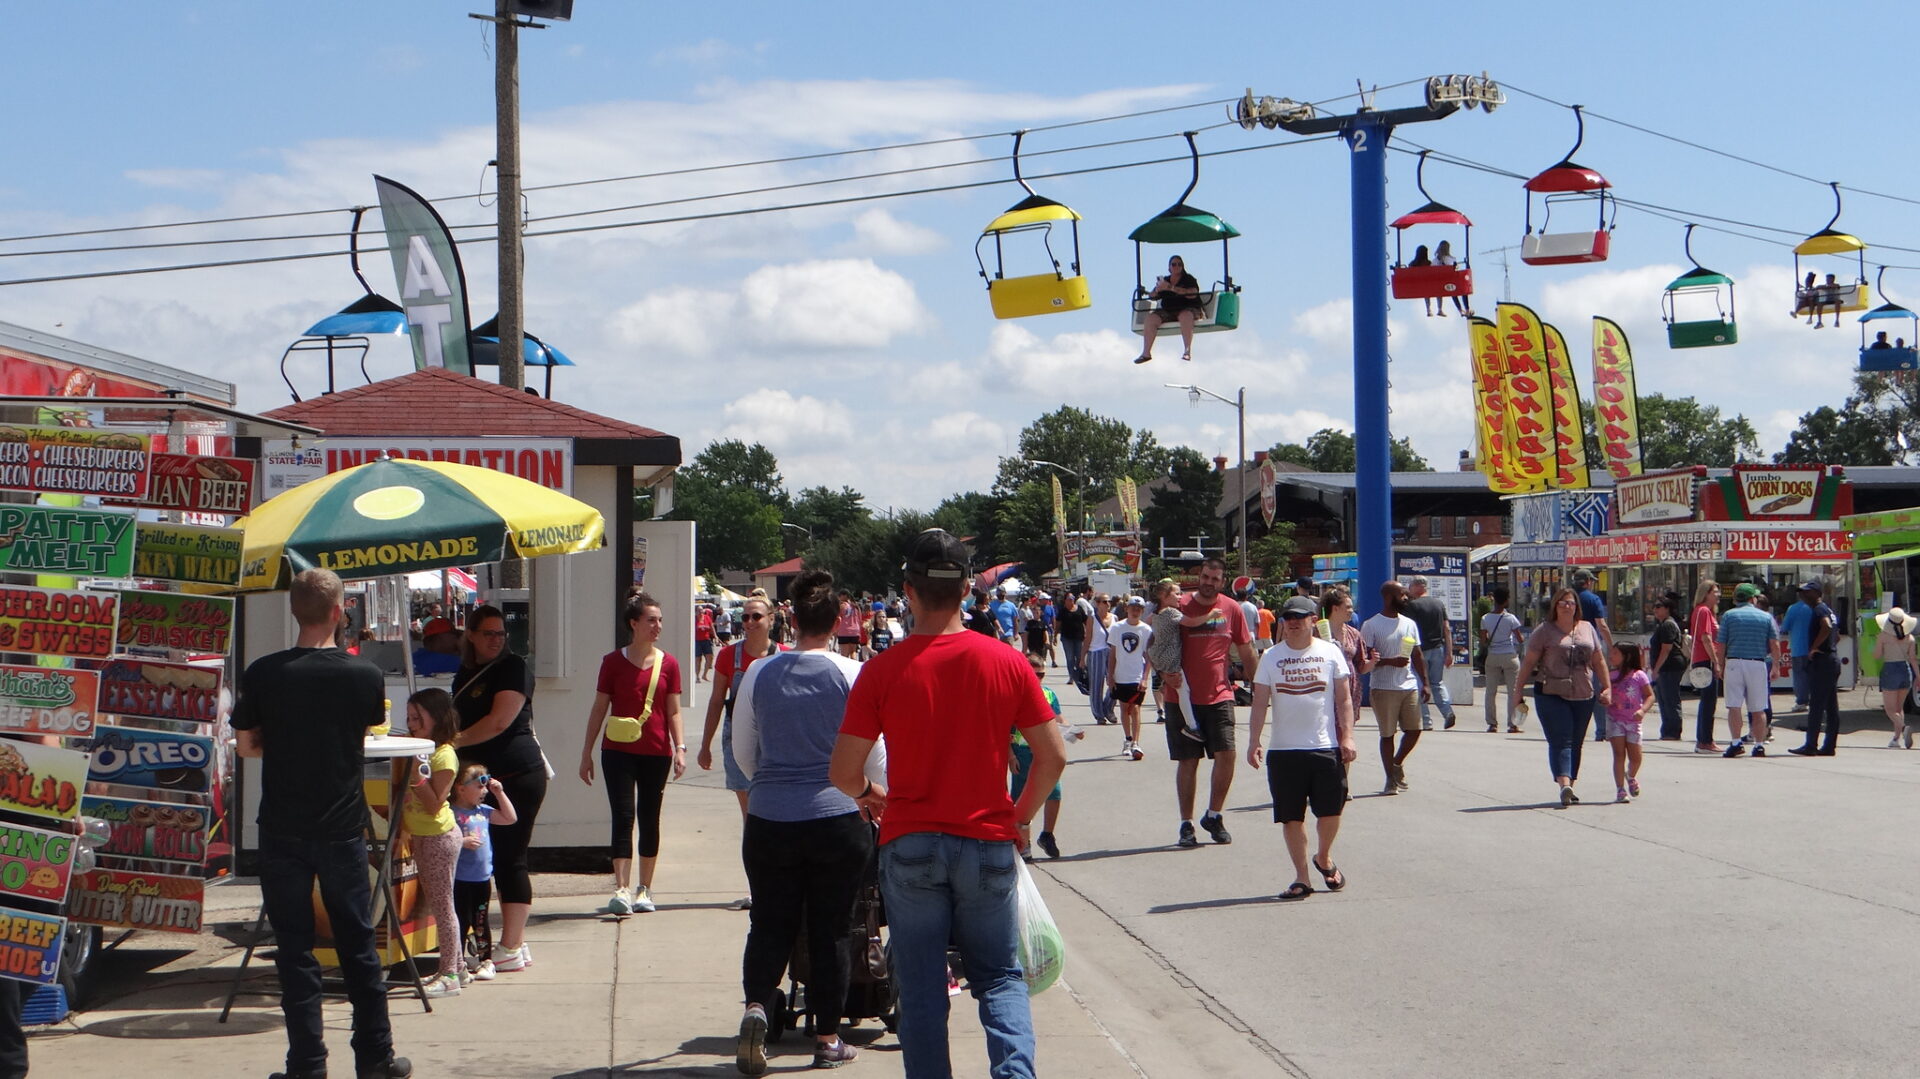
(734, 496)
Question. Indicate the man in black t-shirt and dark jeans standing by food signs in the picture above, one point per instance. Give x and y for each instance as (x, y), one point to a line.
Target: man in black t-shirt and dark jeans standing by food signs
(304, 713)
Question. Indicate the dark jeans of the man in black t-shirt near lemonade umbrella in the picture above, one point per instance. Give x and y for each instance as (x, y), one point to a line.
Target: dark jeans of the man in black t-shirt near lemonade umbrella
(289, 869)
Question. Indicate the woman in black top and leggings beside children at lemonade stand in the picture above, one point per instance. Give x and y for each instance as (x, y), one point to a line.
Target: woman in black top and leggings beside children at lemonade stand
(494, 698)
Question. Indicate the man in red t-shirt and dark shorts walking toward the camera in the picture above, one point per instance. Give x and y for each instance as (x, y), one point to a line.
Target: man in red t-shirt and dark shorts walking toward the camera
(1205, 669)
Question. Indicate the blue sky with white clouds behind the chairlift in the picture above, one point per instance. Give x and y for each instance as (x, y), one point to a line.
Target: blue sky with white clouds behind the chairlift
(857, 341)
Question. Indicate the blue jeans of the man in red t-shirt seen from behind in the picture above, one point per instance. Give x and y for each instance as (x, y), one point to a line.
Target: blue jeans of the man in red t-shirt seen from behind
(948, 888)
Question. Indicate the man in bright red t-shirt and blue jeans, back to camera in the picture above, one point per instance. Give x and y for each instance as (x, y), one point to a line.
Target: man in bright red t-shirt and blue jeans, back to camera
(948, 702)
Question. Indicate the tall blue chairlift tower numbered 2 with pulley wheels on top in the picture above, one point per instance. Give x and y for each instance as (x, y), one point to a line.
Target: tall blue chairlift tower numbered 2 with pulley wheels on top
(1366, 133)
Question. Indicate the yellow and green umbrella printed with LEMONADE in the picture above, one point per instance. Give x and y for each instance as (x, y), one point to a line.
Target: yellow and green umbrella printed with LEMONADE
(396, 517)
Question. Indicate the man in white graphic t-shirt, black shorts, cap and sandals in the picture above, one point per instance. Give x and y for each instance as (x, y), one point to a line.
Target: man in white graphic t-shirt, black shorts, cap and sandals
(1312, 740)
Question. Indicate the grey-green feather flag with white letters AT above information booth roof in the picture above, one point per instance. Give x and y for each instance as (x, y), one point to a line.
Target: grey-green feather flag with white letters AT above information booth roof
(433, 287)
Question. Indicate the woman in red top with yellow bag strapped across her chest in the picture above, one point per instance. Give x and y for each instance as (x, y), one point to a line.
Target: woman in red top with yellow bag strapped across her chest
(636, 723)
